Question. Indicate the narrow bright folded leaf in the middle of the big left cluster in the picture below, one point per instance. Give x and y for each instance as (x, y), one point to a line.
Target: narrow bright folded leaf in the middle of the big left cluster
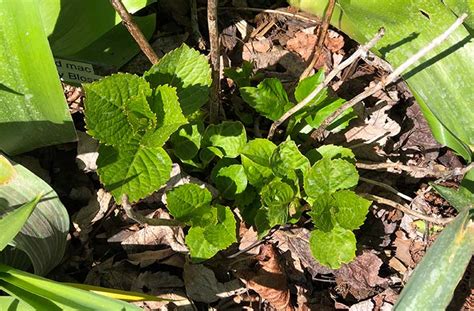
(165, 106)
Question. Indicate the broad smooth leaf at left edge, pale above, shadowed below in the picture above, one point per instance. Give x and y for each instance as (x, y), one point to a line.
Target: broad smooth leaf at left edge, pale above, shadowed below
(43, 236)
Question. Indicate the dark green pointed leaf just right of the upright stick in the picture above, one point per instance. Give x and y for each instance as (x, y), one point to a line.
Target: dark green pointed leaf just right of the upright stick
(268, 98)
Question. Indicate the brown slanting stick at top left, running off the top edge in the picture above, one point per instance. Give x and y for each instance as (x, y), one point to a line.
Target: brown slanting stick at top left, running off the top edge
(136, 33)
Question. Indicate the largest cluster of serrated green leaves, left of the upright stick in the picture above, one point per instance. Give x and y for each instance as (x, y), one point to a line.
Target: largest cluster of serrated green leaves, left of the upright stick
(133, 117)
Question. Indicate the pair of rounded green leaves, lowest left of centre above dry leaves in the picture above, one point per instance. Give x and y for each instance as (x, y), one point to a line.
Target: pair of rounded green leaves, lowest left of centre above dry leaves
(213, 227)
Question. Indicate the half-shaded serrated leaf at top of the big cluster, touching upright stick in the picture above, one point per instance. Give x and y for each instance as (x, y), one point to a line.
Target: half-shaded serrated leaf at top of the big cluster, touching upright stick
(188, 71)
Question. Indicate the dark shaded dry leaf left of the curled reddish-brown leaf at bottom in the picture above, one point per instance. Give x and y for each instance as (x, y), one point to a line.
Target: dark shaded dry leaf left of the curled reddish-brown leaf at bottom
(202, 285)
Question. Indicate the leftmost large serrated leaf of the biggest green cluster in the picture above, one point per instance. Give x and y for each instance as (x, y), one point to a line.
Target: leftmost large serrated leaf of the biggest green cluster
(108, 104)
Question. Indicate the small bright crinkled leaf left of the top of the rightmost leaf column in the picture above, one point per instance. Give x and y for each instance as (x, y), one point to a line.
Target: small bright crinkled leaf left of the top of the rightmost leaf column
(286, 158)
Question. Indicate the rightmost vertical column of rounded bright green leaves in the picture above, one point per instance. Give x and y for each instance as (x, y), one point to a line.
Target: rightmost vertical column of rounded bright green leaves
(335, 210)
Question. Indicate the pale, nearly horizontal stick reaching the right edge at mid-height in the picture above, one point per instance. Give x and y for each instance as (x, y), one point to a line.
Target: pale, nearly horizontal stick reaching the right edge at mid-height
(425, 172)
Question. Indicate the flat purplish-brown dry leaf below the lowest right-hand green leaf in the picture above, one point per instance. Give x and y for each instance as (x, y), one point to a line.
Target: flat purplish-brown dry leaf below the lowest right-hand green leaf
(360, 277)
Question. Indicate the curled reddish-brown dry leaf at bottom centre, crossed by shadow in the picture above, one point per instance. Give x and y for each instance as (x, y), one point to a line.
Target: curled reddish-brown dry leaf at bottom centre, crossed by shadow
(269, 279)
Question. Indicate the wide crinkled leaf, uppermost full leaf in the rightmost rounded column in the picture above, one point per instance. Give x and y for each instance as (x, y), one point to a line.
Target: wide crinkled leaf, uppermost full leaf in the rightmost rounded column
(327, 176)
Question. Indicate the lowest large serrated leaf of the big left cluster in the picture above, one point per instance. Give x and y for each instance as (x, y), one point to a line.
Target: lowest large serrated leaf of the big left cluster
(133, 169)
